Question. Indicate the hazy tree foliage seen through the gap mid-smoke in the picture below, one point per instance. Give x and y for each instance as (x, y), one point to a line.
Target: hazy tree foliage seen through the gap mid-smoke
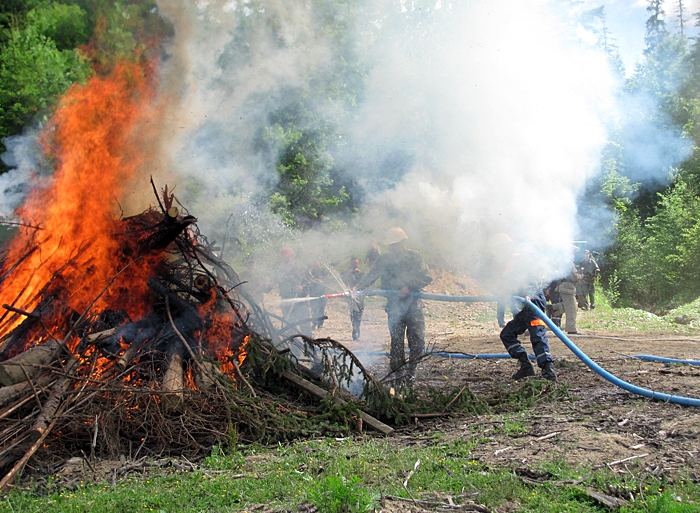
(307, 129)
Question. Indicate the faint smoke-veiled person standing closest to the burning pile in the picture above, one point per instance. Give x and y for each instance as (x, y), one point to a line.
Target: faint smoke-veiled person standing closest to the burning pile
(293, 282)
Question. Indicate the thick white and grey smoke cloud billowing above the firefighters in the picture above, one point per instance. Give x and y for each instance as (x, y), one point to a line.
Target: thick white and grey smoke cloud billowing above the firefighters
(475, 118)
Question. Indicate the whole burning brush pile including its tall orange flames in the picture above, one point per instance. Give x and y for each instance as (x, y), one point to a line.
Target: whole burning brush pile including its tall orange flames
(121, 335)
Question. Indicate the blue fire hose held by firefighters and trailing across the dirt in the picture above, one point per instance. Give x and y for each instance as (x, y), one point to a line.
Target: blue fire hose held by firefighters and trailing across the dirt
(644, 392)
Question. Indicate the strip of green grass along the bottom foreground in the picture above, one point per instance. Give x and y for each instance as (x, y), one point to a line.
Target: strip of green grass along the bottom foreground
(346, 475)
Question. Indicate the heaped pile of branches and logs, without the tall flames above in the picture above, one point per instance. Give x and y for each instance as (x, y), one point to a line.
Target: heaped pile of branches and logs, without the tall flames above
(203, 365)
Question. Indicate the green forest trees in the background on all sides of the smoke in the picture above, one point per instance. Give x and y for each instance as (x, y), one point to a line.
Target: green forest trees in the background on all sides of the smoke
(649, 241)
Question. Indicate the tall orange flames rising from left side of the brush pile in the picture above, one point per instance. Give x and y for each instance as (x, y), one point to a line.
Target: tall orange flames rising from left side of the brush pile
(75, 252)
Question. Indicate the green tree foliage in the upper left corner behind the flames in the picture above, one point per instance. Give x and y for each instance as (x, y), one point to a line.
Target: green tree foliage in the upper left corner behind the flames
(44, 49)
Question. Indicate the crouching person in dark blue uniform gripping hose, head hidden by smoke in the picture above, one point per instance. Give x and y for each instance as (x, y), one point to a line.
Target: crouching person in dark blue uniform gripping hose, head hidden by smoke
(514, 268)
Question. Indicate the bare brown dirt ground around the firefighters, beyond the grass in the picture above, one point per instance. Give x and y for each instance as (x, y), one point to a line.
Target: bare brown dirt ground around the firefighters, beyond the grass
(600, 424)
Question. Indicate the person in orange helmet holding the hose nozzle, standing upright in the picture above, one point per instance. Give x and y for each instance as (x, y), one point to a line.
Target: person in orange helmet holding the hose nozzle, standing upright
(401, 270)
